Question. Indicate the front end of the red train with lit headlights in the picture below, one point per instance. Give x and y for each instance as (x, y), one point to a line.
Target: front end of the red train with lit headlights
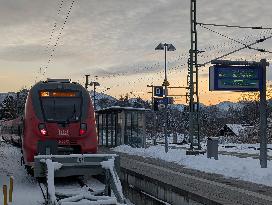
(60, 114)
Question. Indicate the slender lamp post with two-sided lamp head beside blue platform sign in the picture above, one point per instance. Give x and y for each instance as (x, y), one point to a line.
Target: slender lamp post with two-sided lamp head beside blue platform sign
(166, 47)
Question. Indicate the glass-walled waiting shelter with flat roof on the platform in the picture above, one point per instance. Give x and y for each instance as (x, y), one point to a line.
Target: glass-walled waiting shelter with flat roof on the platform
(121, 125)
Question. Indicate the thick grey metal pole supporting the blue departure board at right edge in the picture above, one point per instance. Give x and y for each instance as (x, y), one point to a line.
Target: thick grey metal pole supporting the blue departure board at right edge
(263, 117)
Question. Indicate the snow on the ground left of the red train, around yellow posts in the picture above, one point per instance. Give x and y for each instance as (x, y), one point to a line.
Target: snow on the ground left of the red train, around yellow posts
(26, 189)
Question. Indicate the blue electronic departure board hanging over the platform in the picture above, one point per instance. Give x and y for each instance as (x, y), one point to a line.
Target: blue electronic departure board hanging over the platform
(235, 78)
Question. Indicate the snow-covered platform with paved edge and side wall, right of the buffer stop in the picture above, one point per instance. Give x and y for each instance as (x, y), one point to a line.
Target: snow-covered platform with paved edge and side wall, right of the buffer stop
(228, 180)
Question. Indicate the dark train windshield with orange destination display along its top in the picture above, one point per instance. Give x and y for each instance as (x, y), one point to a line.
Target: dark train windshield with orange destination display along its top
(64, 107)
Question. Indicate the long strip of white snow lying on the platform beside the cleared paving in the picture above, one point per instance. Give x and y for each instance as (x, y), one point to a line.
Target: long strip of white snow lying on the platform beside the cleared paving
(246, 169)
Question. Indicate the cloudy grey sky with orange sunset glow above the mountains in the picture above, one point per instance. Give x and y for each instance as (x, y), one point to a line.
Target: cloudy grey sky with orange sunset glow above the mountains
(115, 40)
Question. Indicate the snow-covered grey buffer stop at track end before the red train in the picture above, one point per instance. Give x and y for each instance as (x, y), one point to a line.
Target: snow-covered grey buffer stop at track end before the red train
(78, 190)
